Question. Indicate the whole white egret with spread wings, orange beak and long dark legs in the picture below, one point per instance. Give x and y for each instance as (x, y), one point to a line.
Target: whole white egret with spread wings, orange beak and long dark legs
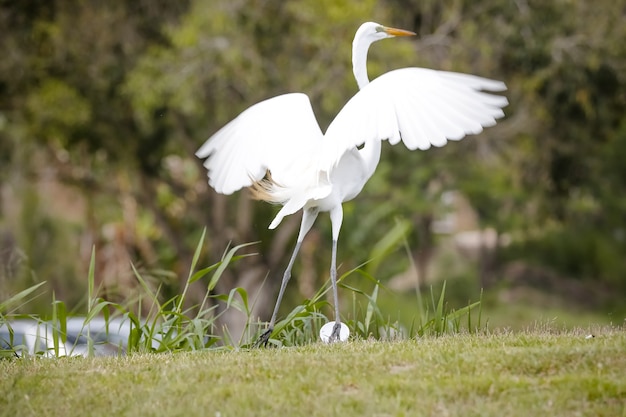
(277, 148)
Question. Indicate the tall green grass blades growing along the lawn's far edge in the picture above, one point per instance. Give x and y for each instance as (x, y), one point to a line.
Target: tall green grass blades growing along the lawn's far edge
(173, 325)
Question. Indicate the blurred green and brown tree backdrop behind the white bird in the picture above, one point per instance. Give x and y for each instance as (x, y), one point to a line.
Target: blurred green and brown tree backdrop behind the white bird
(103, 104)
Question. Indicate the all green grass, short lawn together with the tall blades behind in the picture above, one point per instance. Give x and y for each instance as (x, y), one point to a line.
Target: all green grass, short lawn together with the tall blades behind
(447, 362)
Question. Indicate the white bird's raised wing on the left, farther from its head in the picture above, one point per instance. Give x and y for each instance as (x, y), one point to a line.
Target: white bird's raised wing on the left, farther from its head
(269, 135)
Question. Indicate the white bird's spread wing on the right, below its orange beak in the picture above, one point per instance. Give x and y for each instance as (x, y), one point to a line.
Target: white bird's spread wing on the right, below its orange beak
(419, 106)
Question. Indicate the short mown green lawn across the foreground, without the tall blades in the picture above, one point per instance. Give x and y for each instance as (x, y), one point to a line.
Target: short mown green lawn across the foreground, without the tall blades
(538, 372)
